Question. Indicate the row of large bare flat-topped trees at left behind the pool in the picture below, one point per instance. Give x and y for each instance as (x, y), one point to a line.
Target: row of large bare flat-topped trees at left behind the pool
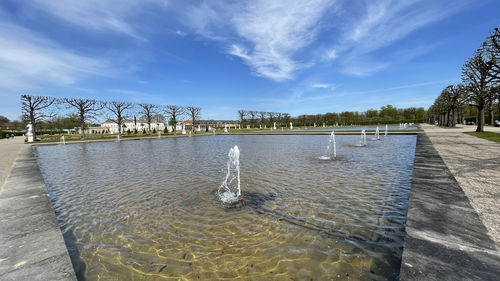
(38, 108)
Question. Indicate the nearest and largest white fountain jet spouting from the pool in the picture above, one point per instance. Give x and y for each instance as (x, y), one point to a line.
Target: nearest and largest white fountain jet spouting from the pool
(230, 191)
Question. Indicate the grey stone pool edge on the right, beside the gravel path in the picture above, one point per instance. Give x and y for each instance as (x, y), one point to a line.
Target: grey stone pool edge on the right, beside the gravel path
(445, 238)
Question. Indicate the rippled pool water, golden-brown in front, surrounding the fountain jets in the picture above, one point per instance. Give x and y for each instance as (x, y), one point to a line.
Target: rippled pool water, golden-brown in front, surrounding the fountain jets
(147, 209)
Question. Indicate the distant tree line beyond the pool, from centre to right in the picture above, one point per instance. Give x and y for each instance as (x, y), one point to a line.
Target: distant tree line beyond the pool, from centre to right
(387, 114)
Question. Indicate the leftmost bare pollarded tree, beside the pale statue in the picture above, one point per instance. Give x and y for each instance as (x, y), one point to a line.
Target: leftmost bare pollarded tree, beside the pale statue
(34, 109)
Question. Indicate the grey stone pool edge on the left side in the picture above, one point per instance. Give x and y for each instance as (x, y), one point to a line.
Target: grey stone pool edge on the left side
(33, 247)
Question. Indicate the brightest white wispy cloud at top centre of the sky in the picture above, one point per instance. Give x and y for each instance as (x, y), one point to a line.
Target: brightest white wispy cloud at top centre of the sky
(266, 35)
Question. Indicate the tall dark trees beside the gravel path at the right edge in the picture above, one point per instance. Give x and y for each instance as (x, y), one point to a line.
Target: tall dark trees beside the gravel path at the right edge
(480, 88)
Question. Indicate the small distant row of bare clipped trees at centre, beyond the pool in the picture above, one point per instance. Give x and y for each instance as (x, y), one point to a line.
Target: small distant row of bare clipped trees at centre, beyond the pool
(253, 118)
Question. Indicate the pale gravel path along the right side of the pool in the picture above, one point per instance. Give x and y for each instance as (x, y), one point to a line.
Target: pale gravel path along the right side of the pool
(475, 164)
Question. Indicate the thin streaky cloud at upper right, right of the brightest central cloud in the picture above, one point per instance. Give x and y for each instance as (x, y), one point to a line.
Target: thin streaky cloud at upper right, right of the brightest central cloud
(383, 23)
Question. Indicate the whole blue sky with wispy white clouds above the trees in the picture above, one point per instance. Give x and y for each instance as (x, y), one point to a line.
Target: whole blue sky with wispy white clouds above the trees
(300, 57)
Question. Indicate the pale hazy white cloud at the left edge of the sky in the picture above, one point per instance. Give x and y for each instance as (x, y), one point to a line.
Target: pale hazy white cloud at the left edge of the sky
(29, 60)
